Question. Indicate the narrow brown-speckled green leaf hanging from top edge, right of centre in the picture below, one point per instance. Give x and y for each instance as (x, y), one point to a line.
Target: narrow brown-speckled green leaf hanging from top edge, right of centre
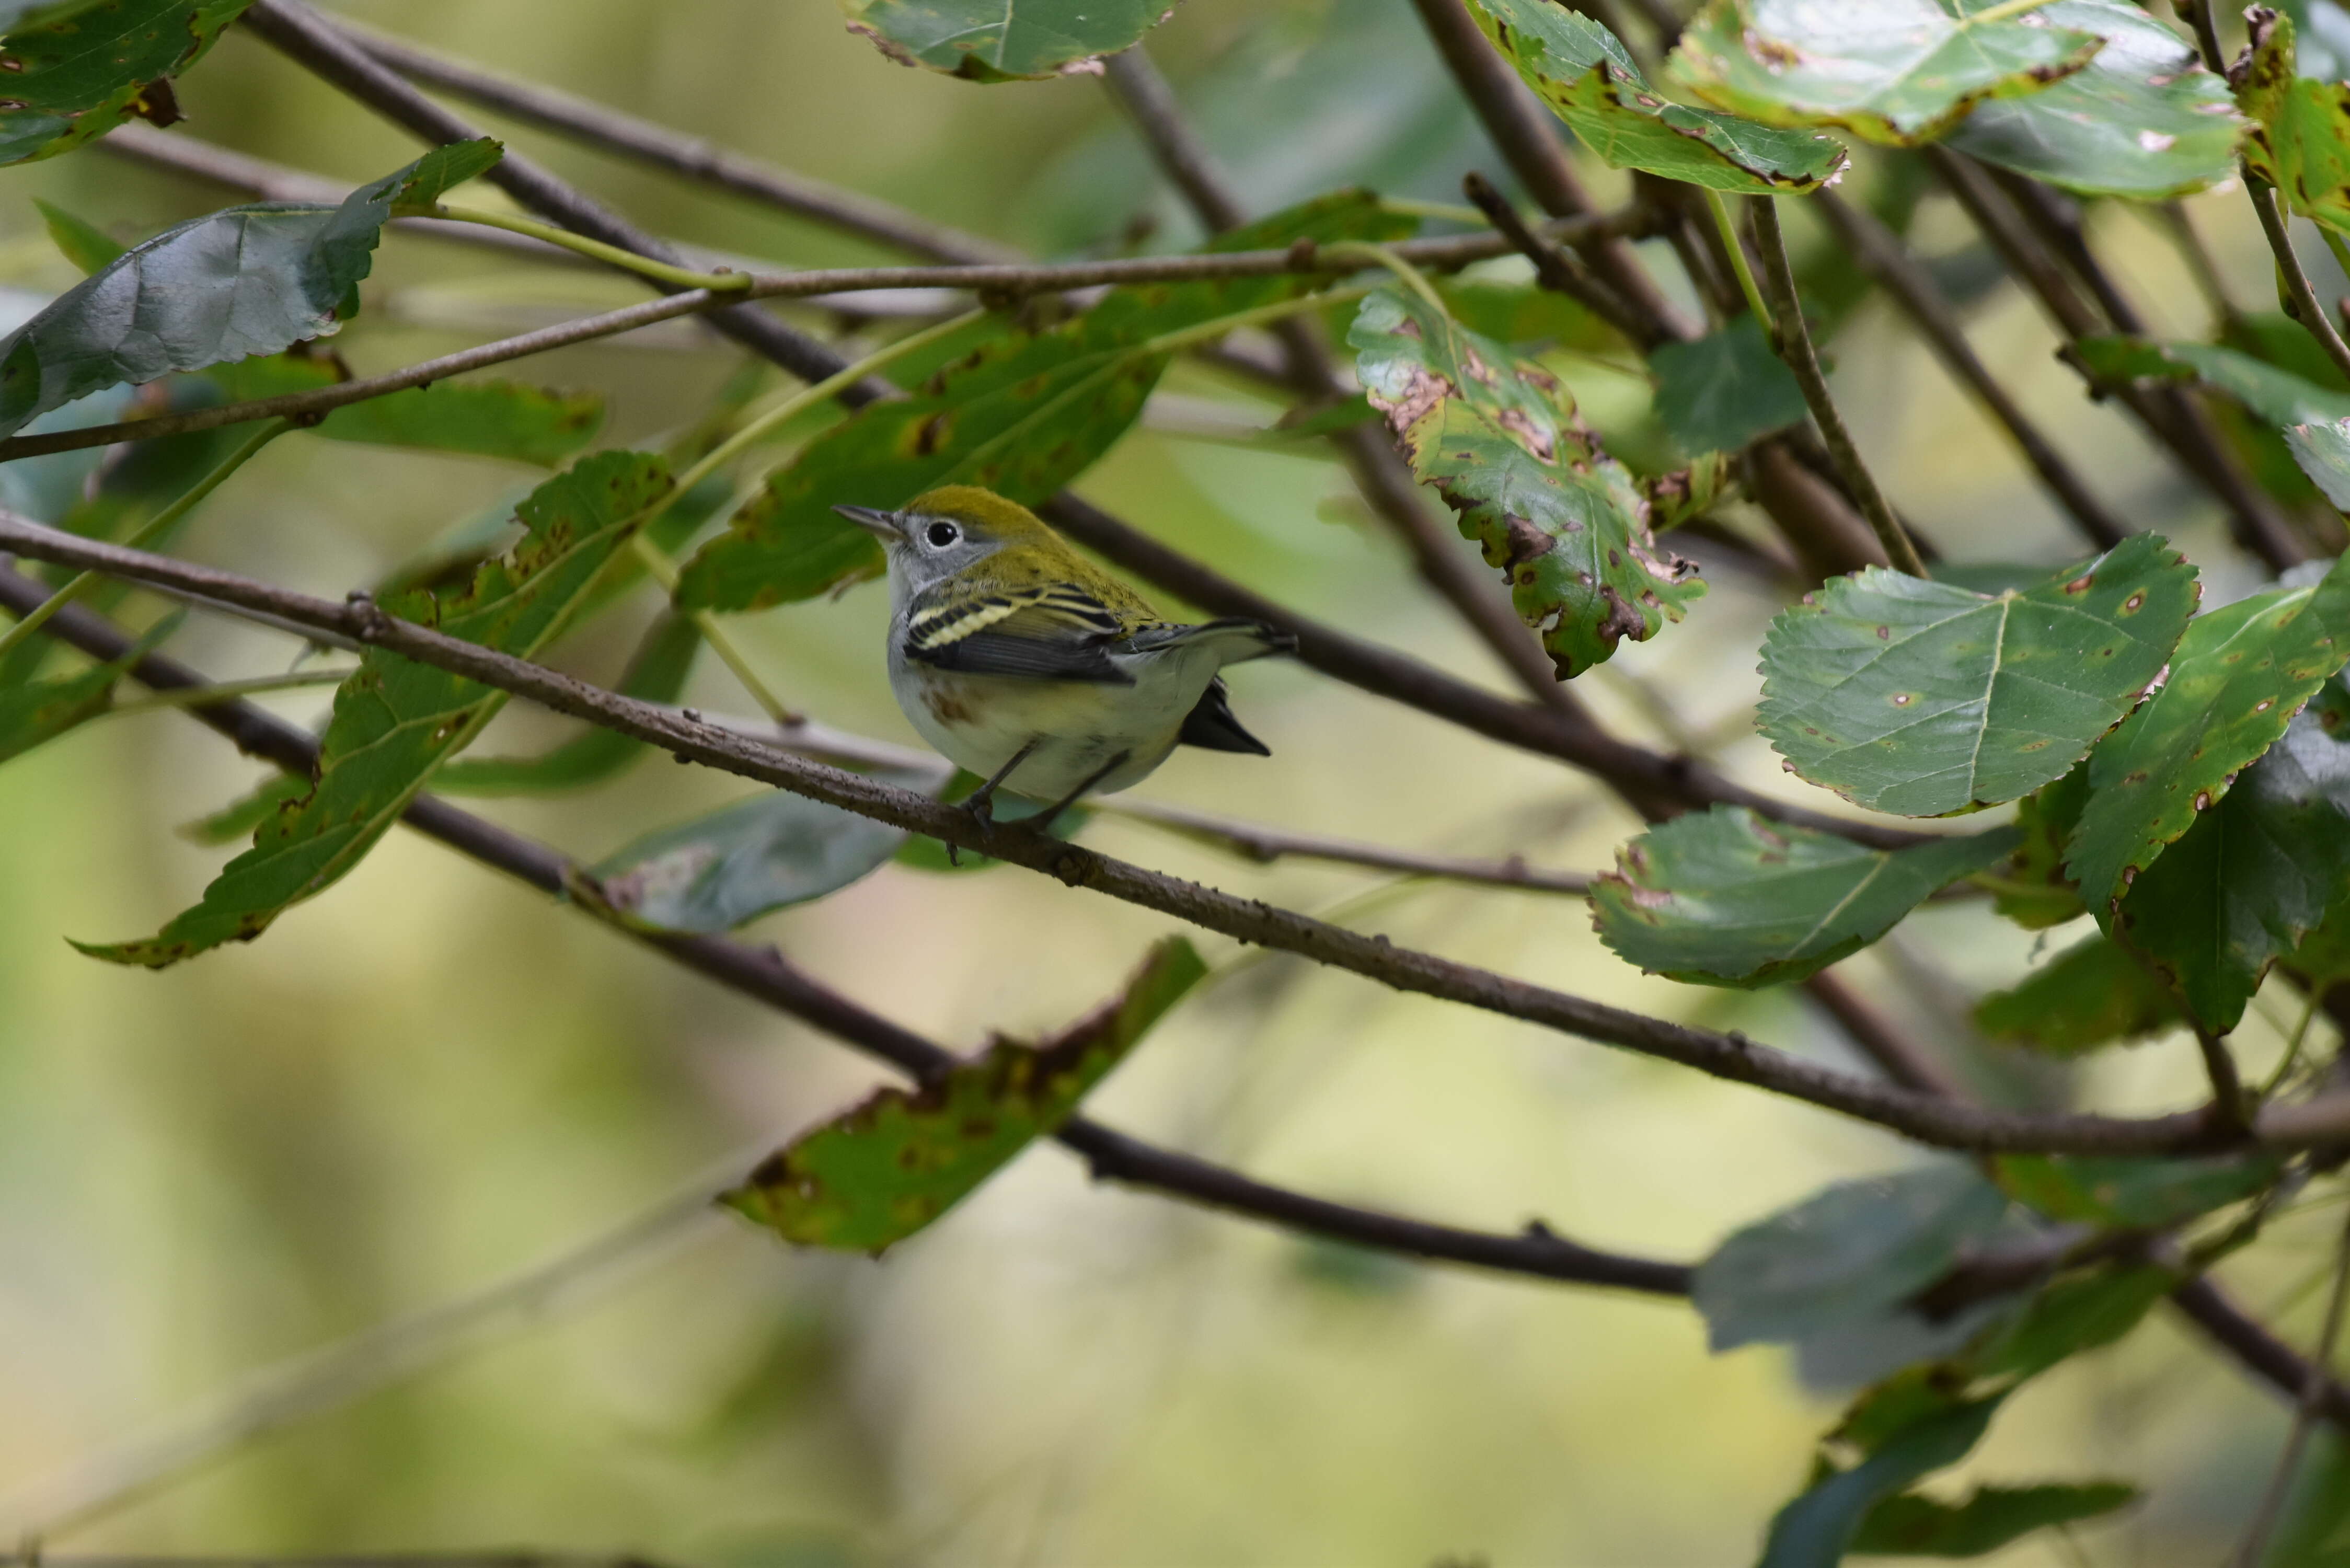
(1585, 74)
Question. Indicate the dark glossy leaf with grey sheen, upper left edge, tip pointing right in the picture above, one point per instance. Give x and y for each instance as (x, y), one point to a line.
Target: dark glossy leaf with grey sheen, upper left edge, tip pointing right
(248, 281)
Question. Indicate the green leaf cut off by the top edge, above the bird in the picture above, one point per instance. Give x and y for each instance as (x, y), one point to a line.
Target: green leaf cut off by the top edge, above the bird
(1005, 41)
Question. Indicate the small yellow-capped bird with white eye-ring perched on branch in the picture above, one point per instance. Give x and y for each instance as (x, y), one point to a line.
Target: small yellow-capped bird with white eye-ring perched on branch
(1035, 669)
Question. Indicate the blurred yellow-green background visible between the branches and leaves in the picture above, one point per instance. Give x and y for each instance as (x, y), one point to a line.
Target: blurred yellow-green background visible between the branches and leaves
(431, 1078)
